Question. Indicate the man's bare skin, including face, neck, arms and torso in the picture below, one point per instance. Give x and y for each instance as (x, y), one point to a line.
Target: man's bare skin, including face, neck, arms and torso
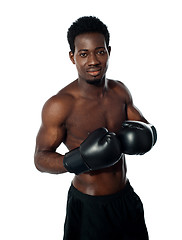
(90, 102)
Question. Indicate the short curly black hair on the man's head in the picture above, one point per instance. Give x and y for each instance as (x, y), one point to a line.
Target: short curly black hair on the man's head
(85, 25)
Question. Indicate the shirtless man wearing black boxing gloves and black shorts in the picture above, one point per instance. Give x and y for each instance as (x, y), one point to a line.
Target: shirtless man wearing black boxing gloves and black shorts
(97, 121)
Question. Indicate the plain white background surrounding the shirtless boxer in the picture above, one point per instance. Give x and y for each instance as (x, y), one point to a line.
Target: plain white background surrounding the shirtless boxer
(146, 41)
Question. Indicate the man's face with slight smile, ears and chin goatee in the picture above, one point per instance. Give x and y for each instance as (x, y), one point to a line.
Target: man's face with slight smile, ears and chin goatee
(91, 57)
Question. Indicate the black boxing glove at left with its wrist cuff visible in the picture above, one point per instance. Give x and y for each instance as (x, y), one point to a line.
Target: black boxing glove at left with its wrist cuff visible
(99, 150)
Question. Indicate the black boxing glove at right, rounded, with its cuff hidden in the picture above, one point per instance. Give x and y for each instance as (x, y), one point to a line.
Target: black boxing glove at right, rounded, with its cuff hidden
(137, 137)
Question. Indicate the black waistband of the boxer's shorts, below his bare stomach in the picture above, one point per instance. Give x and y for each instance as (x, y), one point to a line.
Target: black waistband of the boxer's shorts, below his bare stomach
(104, 198)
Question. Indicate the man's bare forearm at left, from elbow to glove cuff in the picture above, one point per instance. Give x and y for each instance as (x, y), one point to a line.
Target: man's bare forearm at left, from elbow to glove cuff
(50, 162)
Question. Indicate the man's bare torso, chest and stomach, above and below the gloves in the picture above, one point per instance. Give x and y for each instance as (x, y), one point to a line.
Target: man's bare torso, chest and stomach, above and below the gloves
(86, 115)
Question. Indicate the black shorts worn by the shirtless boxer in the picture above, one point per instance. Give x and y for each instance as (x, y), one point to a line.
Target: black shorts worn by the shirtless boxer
(118, 216)
